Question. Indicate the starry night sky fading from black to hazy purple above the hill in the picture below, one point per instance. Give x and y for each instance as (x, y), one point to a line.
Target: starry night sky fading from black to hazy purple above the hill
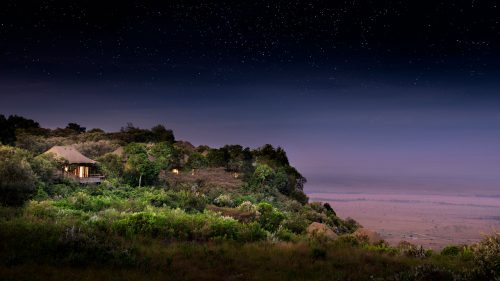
(402, 93)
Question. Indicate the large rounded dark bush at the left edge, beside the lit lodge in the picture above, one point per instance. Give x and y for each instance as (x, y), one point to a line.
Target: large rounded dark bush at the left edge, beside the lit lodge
(17, 180)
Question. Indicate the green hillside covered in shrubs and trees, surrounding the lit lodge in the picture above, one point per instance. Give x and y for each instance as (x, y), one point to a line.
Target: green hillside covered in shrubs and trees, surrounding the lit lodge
(231, 213)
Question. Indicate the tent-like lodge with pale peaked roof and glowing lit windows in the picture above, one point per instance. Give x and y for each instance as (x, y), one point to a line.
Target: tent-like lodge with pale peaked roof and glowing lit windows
(76, 164)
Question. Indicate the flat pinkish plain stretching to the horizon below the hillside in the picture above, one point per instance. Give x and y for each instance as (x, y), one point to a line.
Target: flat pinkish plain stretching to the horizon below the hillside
(433, 221)
